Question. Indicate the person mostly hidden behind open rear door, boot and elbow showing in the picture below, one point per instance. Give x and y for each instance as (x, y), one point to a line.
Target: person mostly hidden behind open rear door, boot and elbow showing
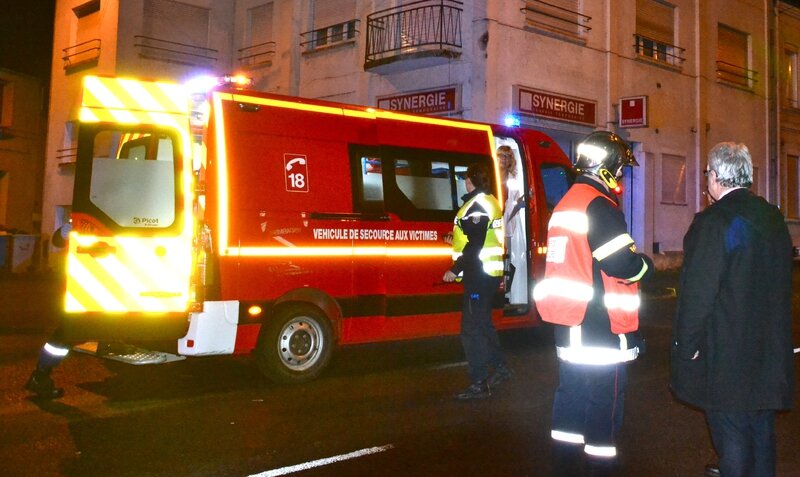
(55, 349)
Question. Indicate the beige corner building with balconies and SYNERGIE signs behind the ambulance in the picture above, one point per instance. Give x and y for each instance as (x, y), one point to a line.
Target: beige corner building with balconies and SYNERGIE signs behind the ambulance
(672, 77)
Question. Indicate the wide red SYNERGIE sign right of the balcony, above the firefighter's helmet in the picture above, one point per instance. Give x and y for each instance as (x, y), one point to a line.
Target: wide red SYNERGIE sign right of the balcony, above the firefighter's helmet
(555, 106)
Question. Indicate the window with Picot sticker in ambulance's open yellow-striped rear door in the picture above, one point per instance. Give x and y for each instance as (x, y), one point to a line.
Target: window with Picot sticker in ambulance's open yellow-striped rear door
(133, 179)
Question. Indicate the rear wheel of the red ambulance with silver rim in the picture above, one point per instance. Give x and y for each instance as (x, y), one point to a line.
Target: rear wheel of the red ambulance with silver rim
(296, 345)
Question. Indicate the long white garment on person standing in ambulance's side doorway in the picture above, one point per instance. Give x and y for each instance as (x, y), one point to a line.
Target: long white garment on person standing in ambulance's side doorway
(516, 243)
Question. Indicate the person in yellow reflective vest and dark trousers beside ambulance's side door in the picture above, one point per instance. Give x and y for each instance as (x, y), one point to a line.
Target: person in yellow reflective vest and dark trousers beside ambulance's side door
(478, 258)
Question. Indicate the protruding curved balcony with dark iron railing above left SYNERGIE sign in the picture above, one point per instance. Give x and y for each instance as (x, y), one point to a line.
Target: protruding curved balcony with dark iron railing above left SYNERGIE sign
(428, 31)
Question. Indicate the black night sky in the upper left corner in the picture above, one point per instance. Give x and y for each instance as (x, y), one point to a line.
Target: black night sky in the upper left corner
(26, 36)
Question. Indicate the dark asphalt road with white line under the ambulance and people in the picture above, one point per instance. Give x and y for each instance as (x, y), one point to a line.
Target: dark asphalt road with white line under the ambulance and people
(380, 410)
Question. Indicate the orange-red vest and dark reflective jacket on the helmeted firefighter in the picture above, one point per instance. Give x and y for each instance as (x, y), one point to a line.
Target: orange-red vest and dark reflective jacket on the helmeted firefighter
(598, 304)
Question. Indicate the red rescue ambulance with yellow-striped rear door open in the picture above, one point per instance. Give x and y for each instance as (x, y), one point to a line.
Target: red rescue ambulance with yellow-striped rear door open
(281, 226)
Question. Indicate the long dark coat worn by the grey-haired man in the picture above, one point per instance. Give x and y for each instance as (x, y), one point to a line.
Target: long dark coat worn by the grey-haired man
(734, 308)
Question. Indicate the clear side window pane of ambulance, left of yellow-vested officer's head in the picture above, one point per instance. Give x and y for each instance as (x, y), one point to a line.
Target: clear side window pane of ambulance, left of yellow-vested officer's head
(425, 183)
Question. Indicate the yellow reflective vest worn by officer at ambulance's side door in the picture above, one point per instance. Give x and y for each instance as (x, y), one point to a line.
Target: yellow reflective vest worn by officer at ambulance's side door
(480, 208)
